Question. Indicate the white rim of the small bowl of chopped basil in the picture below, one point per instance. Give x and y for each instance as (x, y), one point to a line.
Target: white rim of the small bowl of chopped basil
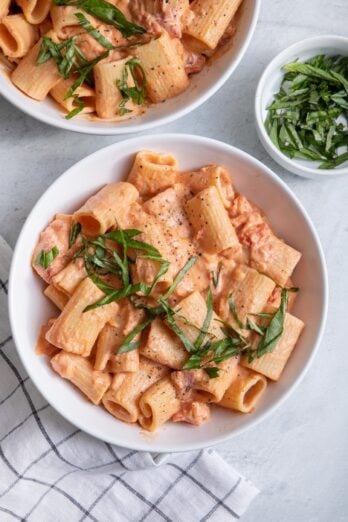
(292, 164)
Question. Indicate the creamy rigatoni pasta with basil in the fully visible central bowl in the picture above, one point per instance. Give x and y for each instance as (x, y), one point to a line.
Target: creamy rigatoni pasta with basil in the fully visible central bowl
(162, 310)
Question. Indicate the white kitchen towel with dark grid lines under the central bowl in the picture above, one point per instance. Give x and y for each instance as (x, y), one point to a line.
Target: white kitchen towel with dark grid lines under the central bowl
(50, 471)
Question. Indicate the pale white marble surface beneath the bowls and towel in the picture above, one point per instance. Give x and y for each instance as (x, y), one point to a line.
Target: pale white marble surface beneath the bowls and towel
(299, 456)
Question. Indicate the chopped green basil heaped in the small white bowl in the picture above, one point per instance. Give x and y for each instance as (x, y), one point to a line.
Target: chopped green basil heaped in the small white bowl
(308, 116)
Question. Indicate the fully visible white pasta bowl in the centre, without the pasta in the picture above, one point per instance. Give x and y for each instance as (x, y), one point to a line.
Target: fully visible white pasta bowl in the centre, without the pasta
(29, 308)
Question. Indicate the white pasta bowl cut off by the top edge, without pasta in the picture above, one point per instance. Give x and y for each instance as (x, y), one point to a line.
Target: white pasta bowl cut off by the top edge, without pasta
(202, 86)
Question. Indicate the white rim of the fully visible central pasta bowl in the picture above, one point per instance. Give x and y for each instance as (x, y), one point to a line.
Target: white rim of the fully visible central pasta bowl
(201, 141)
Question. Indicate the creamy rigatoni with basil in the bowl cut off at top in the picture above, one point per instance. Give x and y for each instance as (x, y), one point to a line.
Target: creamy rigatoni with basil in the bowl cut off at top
(101, 69)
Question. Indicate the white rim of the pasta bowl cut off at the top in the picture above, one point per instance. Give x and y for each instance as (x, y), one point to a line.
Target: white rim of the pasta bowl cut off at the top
(118, 129)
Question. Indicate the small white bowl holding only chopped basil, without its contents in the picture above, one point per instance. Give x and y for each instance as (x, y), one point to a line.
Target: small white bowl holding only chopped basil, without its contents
(269, 85)
